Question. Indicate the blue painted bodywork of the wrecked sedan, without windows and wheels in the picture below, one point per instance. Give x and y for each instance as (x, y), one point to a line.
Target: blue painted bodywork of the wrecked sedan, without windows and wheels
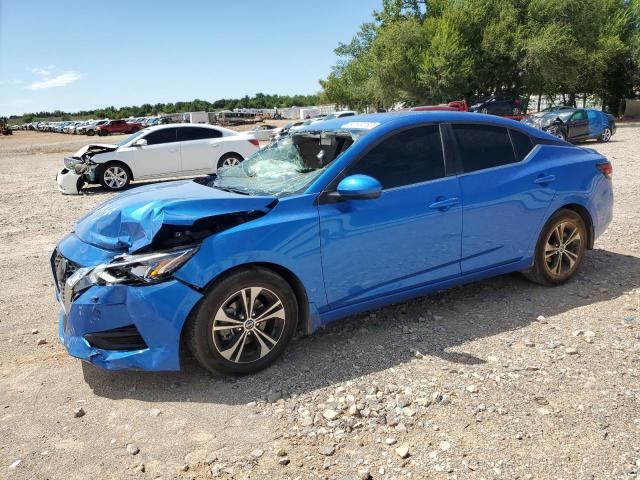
(349, 255)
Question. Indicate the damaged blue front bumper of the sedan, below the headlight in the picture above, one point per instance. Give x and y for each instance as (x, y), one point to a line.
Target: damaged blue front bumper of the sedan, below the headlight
(156, 313)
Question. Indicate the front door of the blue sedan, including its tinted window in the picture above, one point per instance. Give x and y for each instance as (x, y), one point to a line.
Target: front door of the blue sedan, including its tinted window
(409, 236)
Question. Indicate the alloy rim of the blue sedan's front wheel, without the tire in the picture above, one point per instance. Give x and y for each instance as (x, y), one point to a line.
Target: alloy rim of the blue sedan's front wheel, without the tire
(248, 325)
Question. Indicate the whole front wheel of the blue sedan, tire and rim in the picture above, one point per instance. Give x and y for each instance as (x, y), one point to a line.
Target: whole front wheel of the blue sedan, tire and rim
(244, 323)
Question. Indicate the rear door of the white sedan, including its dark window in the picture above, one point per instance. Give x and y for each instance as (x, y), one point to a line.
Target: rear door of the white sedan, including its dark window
(200, 148)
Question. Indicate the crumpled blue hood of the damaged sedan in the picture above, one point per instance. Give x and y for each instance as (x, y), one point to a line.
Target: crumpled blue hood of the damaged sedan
(131, 220)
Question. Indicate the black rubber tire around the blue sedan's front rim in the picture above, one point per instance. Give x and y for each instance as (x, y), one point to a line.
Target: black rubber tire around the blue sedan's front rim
(201, 340)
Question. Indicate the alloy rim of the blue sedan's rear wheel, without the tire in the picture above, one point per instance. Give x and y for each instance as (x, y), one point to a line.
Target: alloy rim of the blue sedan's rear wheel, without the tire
(562, 250)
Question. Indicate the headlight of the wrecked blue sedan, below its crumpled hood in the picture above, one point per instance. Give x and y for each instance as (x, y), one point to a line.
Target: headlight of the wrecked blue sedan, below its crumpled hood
(141, 269)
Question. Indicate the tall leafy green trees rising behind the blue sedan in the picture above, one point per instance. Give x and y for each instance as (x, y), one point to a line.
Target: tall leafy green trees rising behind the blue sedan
(430, 51)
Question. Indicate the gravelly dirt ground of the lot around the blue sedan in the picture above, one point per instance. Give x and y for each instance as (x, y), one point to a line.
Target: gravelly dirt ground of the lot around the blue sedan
(513, 380)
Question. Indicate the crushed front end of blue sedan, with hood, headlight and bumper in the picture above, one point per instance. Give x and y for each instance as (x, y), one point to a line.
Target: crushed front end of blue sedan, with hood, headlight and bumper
(117, 277)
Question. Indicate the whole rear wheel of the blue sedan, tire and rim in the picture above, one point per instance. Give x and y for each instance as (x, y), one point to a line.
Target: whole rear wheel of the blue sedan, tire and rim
(560, 249)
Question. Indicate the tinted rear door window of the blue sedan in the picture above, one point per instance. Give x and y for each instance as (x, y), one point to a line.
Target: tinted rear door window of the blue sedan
(483, 146)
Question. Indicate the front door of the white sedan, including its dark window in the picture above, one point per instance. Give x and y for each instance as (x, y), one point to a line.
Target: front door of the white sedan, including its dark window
(161, 155)
